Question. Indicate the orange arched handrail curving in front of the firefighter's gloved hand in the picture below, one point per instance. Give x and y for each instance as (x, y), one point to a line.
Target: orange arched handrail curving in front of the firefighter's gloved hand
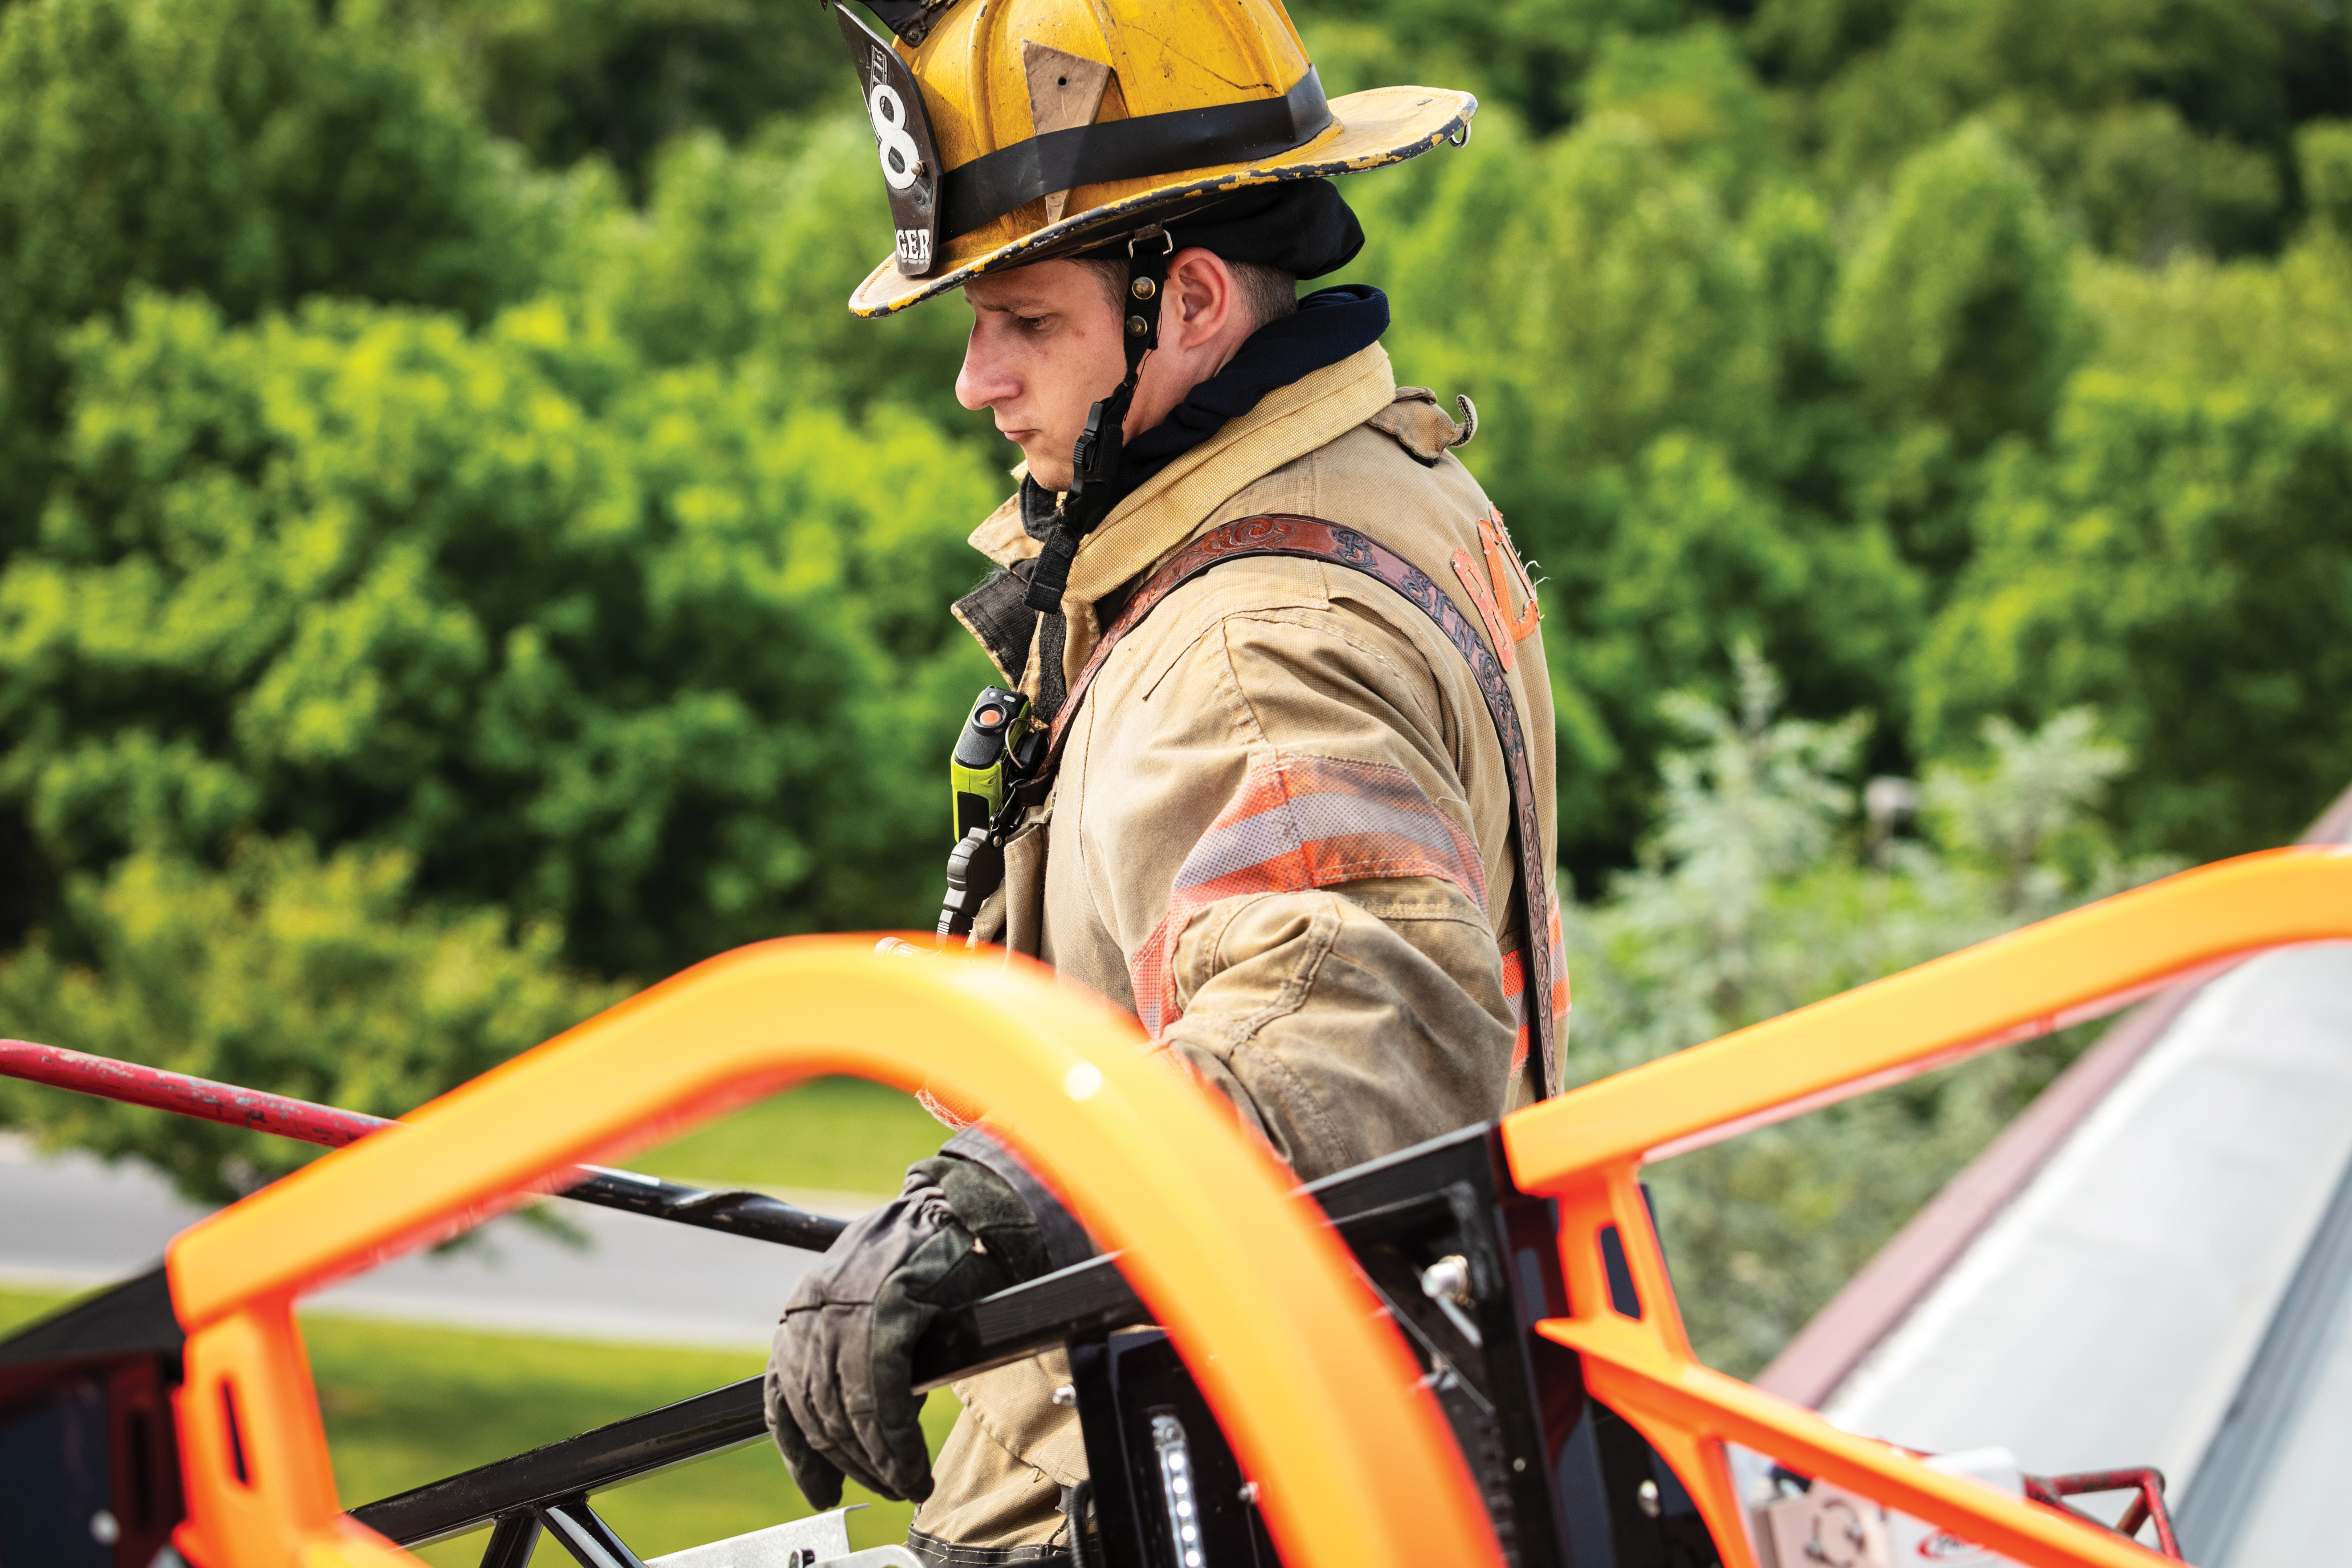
(1318, 1395)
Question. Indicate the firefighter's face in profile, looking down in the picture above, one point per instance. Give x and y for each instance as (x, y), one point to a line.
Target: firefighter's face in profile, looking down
(1045, 347)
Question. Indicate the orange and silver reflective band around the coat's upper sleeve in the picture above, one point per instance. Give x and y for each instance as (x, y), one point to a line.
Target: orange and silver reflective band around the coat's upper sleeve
(1304, 824)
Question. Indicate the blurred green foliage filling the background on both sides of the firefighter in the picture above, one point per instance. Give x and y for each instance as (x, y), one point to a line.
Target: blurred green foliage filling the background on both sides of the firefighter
(460, 561)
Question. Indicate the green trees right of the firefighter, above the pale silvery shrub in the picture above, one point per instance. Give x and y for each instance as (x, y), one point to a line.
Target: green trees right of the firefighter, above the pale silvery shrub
(1775, 311)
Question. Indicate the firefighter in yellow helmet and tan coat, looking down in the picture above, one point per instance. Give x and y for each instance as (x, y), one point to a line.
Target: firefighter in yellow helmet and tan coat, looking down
(1302, 812)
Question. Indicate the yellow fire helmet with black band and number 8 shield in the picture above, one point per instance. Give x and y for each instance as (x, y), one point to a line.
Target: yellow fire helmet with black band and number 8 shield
(1022, 130)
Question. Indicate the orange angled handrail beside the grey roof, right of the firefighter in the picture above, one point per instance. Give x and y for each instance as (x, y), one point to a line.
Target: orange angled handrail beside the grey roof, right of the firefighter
(1586, 1148)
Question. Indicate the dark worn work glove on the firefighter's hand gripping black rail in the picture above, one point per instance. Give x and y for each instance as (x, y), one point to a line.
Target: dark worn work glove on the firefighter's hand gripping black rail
(841, 1400)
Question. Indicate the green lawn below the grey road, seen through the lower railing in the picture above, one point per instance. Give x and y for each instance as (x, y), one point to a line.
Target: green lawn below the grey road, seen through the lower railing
(413, 1405)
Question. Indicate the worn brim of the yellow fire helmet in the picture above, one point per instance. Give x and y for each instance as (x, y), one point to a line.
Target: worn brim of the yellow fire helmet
(1368, 130)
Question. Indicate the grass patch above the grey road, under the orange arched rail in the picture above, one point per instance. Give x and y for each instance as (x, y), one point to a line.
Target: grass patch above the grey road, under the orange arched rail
(834, 1134)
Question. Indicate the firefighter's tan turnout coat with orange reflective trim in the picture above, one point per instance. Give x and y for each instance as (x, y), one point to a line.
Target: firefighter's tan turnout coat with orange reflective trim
(1281, 836)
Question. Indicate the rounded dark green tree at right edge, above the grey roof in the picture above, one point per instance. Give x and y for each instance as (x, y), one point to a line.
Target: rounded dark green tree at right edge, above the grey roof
(2177, 558)
